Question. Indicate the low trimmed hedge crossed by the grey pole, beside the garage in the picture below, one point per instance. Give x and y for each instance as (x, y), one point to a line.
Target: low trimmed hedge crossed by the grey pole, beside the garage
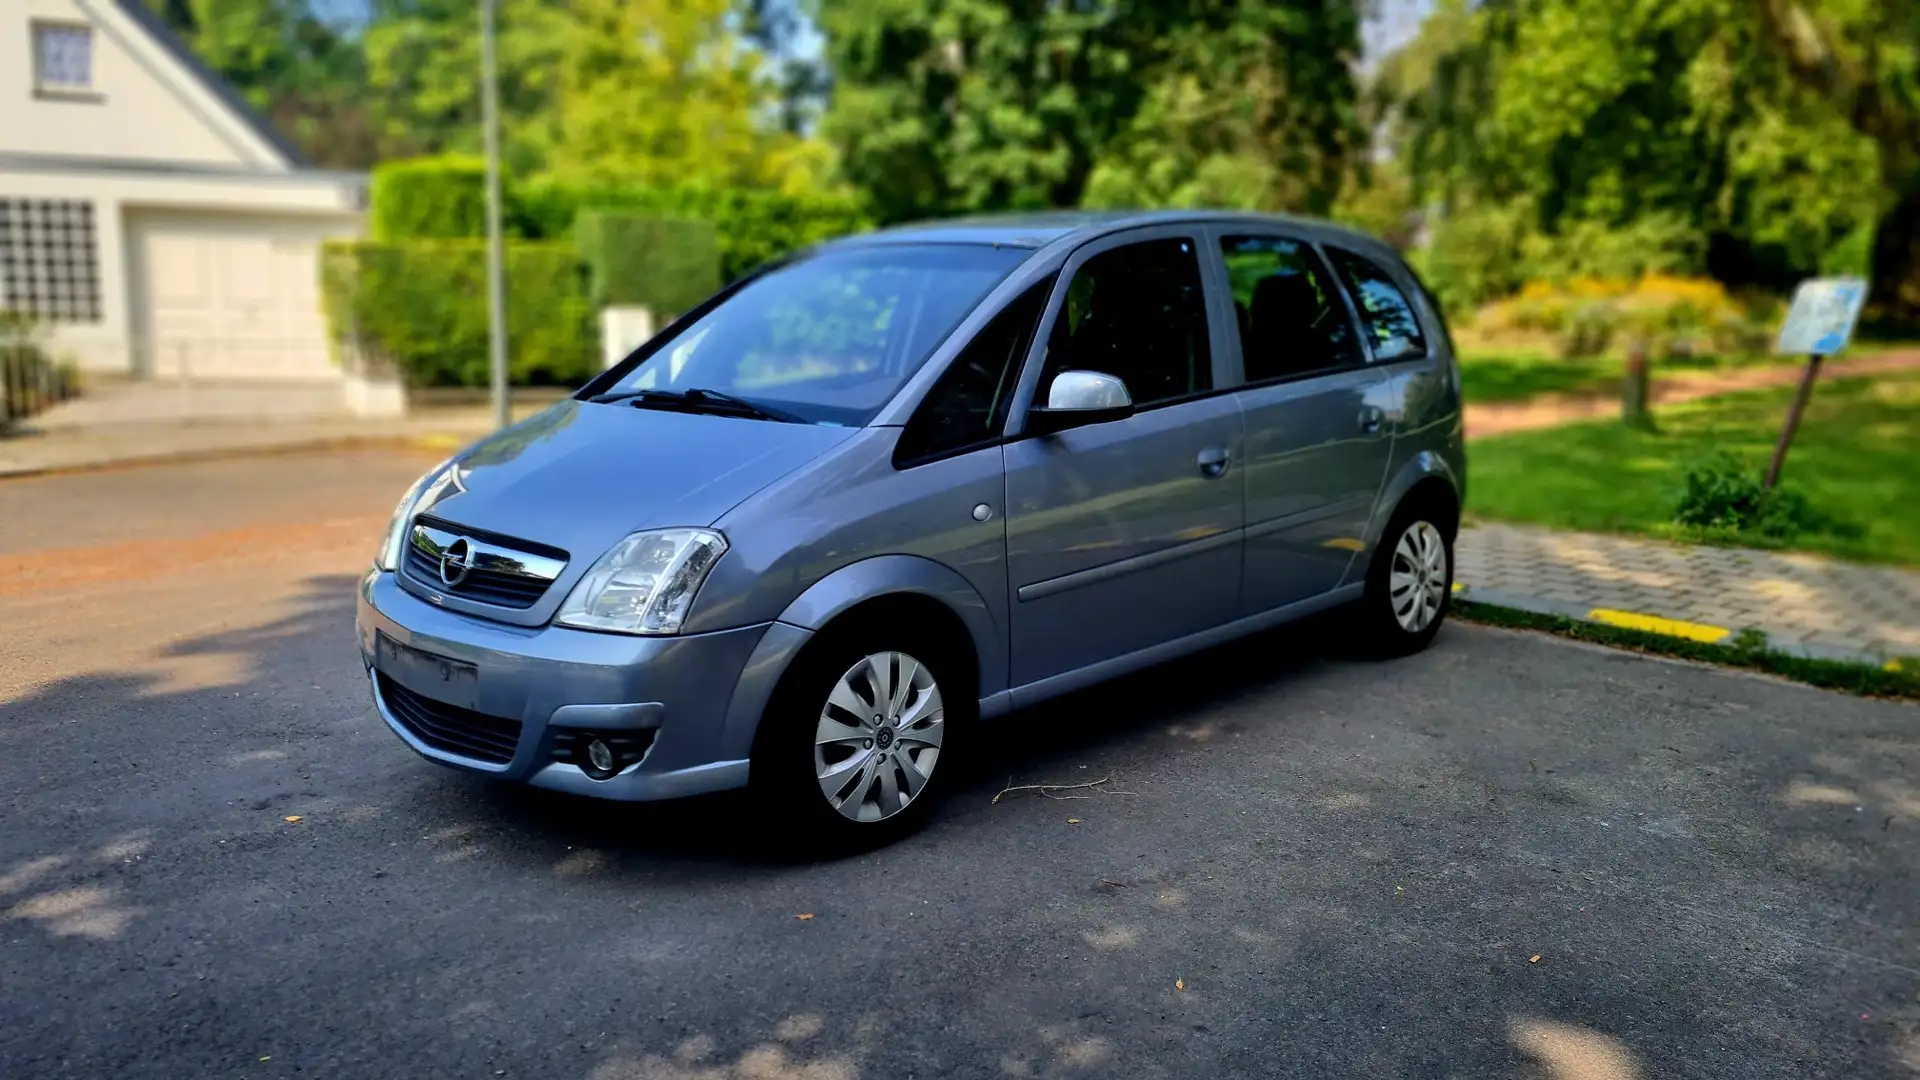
(421, 307)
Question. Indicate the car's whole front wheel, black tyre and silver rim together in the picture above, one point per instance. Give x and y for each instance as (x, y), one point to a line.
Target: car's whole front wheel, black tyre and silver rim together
(830, 777)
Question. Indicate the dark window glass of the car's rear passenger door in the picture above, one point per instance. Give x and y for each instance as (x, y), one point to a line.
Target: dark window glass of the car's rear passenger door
(1291, 316)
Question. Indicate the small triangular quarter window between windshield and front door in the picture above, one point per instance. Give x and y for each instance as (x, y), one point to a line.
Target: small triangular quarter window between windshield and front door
(969, 405)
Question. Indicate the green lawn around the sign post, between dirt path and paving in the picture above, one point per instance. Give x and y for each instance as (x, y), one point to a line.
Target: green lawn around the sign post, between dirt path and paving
(1858, 458)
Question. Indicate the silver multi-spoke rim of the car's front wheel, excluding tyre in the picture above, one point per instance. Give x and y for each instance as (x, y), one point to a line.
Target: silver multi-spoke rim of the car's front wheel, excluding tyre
(878, 737)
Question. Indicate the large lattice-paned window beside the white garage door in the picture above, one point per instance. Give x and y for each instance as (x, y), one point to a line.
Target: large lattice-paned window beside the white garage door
(49, 260)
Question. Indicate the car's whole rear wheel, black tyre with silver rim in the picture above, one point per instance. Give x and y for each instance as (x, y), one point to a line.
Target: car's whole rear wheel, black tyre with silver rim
(1410, 583)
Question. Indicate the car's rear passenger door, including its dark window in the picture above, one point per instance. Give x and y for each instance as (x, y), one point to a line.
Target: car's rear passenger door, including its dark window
(1316, 410)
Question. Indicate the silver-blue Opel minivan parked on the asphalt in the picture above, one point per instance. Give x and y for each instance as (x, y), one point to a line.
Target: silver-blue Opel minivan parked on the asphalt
(823, 526)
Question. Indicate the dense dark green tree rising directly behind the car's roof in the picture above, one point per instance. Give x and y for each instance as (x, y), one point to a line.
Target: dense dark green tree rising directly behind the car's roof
(1007, 105)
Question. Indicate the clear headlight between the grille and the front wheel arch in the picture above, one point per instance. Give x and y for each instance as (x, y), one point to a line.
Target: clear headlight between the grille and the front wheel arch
(646, 583)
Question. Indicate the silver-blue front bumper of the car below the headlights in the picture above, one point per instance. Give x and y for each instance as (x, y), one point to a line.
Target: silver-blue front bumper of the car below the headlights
(700, 695)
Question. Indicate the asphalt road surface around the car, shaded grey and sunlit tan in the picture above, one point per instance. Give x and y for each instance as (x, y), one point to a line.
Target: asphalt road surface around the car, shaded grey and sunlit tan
(1506, 858)
